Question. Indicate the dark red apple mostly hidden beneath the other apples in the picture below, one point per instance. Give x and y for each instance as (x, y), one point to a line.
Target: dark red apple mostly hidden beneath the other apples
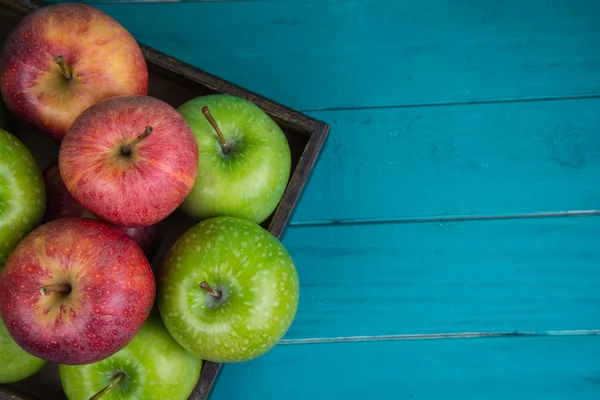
(60, 204)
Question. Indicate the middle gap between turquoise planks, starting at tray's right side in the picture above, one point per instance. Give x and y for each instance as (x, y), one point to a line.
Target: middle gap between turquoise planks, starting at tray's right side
(443, 219)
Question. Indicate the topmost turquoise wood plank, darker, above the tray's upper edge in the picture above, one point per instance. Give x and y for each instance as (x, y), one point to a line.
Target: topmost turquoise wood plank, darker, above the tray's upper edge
(354, 53)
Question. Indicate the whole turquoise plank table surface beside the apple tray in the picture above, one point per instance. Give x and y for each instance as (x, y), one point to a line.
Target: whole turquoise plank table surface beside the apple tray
(448, 243)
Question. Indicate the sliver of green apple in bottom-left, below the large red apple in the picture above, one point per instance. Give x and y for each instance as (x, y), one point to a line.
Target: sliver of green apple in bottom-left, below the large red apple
(17, 364)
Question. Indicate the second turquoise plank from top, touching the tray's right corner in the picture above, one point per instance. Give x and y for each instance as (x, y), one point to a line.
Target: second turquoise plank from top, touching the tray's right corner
(509, 158)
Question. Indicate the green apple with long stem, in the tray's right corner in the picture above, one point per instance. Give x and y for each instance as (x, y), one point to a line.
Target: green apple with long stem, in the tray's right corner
(244, 159)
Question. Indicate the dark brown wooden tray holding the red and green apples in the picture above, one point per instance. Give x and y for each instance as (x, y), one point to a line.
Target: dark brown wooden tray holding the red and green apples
(174, 82)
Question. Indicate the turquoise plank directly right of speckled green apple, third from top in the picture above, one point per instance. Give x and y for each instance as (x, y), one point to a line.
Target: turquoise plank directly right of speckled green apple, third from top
(477, 276)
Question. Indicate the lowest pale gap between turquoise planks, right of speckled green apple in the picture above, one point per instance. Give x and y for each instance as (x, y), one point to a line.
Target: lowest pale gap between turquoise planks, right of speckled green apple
(438, 336)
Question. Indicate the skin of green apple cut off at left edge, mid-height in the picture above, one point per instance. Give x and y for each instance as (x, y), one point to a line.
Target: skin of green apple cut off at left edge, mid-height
(22, 193)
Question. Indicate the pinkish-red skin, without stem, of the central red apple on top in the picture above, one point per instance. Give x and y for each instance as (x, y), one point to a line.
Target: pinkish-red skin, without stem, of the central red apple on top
(136, 190)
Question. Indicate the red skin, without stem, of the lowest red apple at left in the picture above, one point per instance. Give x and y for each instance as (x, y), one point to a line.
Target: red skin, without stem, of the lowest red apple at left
(112, 291)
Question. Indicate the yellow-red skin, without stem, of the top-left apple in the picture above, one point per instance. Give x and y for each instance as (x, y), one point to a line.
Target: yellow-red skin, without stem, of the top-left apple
(103, 57)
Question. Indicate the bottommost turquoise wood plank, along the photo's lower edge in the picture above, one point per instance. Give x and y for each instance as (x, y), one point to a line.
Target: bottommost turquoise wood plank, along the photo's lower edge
(489, 369)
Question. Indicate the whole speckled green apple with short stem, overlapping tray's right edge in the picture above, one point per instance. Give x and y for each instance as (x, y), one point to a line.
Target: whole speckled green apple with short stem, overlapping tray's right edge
(228, 290)
